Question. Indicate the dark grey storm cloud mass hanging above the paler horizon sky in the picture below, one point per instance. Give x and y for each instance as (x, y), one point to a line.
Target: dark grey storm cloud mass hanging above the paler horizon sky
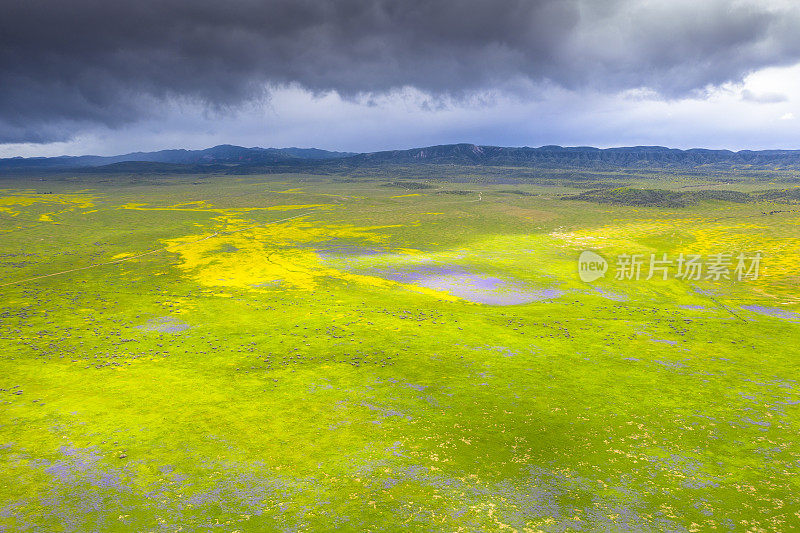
(68, 65)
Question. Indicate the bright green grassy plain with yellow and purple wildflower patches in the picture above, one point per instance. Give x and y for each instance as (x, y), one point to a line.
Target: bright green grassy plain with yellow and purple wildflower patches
(234, 353)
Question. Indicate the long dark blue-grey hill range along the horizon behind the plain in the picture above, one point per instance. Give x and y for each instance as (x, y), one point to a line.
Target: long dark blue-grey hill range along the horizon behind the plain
(228, 158)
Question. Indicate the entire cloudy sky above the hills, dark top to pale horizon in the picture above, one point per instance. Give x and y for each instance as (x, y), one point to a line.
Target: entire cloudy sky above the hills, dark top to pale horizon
(108, 77)
